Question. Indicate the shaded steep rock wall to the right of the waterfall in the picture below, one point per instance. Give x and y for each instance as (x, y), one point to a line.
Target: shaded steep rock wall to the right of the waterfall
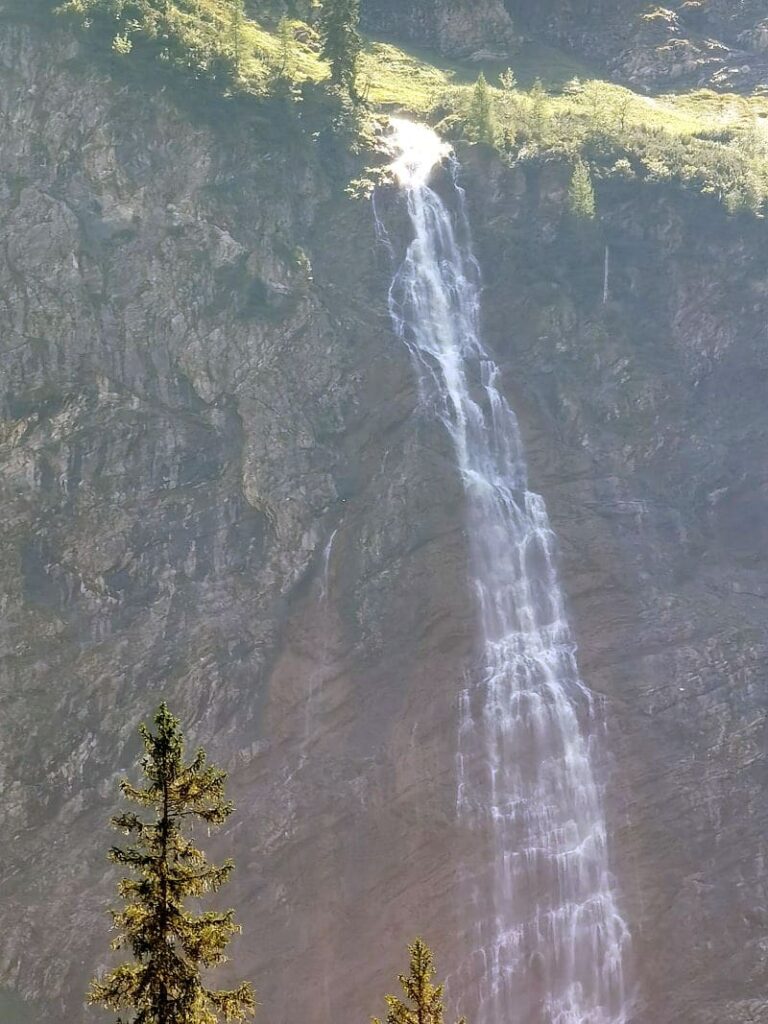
(647, 430)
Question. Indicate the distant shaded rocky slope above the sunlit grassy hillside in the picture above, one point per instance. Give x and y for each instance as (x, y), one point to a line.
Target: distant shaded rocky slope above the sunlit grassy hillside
(712, 44)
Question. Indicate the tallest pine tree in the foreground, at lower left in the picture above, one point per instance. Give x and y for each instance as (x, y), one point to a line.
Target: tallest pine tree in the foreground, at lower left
(170, 946)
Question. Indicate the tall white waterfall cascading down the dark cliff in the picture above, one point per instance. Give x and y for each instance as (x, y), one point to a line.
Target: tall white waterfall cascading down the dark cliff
(545, 942)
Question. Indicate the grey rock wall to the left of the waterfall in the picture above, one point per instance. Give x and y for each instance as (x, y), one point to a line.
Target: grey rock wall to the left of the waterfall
(200, 392)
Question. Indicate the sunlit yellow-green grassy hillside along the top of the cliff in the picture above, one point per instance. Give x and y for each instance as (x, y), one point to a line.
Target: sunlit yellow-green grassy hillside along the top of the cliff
(714, 144)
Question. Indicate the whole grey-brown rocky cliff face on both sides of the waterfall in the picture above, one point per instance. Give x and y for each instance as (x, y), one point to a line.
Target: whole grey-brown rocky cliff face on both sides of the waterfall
(218, 488)
